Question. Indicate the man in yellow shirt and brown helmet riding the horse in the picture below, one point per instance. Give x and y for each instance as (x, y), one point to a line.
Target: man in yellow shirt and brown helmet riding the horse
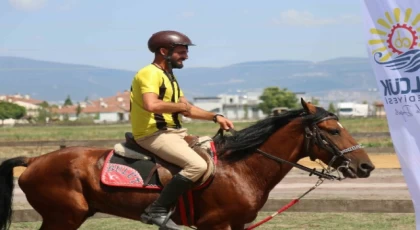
(157, 103)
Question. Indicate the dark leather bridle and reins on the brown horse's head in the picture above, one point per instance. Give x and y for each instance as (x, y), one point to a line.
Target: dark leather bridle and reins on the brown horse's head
(314, 136)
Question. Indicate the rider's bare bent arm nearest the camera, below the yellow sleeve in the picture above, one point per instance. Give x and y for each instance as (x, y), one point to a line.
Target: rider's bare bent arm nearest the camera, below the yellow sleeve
(152, 104)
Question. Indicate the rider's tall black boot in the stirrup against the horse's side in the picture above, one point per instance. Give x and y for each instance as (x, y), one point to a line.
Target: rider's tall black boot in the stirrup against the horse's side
(158, 211)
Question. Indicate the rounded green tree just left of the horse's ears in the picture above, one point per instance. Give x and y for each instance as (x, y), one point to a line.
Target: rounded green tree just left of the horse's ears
(273, 97)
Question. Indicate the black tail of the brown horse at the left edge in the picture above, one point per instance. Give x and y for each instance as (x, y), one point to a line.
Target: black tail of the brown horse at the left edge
(6, 189)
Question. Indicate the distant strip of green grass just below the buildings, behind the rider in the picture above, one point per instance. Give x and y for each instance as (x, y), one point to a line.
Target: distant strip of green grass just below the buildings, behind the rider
(117, 131)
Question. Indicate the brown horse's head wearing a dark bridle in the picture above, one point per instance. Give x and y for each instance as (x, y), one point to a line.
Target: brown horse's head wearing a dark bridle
(327, 140)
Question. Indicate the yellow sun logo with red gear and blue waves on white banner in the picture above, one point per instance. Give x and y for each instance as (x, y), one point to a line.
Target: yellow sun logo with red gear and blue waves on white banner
(396, 42)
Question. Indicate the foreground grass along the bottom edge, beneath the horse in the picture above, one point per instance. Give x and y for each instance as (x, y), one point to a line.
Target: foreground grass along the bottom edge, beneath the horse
(301, 220)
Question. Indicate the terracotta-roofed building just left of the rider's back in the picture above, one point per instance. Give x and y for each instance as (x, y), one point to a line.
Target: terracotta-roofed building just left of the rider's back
(110, 109)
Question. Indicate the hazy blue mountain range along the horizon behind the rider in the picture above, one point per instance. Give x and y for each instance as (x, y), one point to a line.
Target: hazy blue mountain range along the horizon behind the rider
(329, 80)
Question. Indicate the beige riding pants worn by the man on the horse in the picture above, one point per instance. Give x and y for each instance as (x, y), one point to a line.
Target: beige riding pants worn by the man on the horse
(171, 146)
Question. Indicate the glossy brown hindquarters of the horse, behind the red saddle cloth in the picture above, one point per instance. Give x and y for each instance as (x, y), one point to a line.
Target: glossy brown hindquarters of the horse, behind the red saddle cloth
(58, 181)
